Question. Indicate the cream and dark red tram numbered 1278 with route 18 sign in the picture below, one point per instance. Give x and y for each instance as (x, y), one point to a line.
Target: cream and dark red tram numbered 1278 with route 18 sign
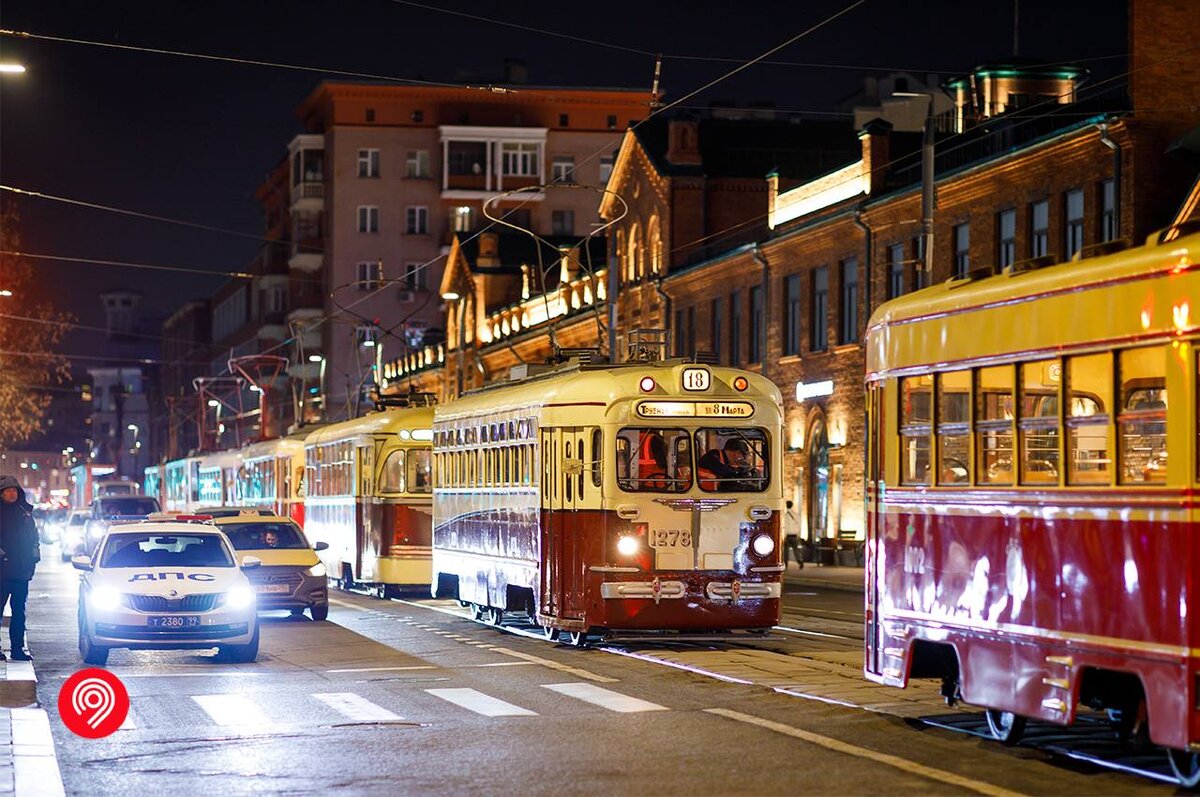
(587, 499)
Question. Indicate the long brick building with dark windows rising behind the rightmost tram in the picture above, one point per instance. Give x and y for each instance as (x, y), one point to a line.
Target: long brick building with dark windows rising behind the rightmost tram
(1052, 179)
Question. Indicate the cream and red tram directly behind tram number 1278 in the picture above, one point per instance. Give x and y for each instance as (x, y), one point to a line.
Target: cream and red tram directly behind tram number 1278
(368, 494)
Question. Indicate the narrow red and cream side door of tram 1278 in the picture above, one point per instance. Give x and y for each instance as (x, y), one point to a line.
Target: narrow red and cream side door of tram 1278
(561, 546)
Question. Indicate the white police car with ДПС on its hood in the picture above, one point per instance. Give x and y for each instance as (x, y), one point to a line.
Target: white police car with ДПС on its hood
(154, 586)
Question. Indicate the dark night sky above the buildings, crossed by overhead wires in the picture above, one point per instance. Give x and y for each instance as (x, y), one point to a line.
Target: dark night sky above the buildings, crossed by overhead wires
(191, 140)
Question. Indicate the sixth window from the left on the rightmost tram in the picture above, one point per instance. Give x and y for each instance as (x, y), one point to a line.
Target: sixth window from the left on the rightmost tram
(1143, 420)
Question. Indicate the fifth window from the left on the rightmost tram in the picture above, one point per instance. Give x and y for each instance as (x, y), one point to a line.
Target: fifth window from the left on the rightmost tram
(1089, 399)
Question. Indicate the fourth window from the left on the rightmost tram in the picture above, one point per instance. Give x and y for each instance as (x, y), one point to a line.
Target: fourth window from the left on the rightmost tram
(1037, 422)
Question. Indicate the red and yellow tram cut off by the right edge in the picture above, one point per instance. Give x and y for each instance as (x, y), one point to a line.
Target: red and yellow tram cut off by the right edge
(1033, 482)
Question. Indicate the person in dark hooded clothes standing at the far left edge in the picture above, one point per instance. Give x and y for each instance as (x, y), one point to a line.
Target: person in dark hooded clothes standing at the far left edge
(21, 555)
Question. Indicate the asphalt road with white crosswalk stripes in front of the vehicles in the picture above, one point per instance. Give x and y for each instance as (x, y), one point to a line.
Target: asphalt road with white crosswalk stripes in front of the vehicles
(410, 697)
